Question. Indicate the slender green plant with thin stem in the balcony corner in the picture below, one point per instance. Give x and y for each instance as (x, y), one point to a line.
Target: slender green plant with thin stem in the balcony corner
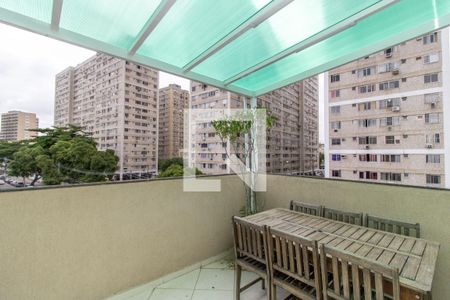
(238, 131)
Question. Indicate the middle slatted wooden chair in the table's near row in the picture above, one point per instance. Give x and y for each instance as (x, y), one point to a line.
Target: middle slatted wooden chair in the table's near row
(293, 265)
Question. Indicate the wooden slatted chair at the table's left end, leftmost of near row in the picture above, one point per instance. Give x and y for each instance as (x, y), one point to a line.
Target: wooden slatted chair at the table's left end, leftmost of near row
(250, 248)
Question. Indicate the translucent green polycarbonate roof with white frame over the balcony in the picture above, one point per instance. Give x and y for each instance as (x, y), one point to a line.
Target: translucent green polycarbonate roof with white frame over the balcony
(246, 46)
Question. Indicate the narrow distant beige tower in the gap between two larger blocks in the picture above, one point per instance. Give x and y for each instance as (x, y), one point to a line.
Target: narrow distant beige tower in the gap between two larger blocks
(173, 101)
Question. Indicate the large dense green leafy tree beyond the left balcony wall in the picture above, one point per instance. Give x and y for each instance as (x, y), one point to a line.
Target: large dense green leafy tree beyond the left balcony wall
(64, 154)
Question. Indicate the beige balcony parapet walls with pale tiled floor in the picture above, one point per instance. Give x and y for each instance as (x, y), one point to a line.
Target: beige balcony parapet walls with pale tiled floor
(100, 241)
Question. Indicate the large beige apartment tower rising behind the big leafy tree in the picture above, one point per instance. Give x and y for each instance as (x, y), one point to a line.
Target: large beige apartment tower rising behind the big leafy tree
(116, 101)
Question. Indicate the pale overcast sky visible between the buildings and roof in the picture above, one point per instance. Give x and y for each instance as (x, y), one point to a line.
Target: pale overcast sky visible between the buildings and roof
(29, 63)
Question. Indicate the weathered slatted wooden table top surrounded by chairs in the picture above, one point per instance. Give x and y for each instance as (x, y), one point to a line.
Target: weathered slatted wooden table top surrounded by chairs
(415, 258)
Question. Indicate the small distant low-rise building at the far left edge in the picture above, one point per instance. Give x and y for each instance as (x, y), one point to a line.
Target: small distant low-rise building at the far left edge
(15, 126)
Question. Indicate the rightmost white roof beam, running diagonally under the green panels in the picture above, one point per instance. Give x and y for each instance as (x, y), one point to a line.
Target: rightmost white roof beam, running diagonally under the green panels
(315, 39)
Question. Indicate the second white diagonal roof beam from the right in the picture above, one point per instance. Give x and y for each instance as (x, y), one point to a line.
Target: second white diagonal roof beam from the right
(259, 17)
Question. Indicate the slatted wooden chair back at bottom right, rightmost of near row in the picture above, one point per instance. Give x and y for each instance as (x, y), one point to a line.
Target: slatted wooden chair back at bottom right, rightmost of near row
(349, 277)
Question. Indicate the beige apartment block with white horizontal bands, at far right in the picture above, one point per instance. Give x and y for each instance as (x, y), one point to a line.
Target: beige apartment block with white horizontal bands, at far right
(388, 115)
